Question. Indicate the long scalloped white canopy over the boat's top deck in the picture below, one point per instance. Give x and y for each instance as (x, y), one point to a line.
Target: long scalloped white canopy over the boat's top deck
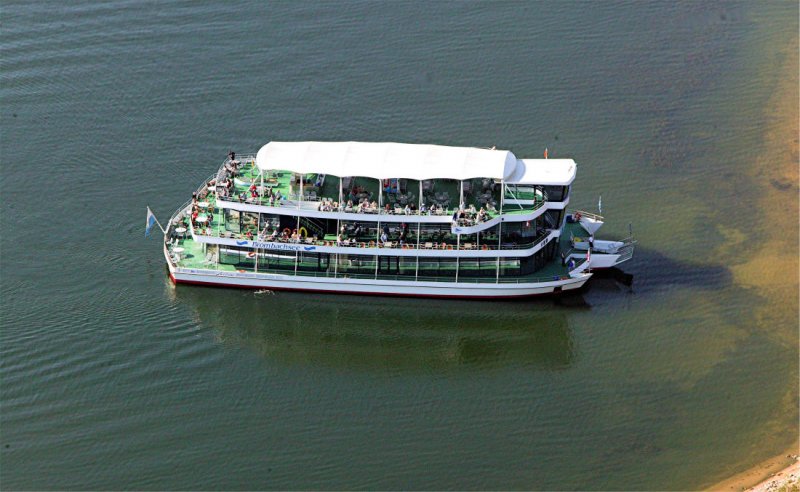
(387, 160)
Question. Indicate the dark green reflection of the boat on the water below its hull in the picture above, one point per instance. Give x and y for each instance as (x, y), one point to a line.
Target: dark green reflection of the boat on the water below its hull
(385, 333)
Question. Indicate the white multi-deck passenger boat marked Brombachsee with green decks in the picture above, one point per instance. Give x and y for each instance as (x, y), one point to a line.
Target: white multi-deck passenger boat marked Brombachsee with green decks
(388, 219)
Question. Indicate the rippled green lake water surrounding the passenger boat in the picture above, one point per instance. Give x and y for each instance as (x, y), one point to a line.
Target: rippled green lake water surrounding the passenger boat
(112, 378)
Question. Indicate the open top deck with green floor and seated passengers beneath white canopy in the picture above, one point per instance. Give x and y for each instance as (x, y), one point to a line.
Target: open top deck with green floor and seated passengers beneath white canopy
(471, 201)
